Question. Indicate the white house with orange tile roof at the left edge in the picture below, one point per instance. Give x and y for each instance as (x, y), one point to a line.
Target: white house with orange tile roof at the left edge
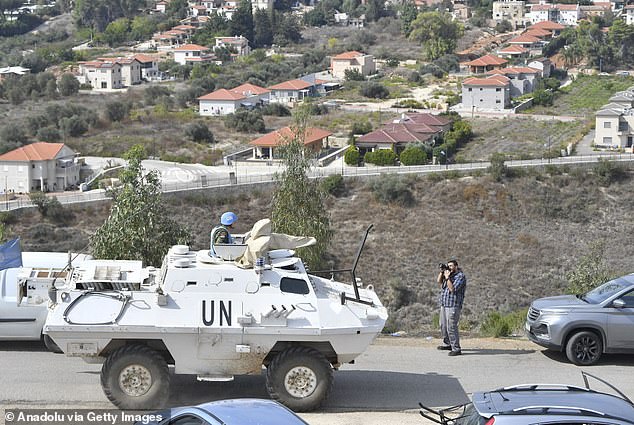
(40, 166)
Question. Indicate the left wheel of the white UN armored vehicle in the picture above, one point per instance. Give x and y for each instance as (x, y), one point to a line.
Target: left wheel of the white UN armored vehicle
(135, 377)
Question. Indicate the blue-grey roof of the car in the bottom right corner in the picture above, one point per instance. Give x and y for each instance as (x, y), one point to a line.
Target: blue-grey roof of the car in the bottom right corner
(552, 400)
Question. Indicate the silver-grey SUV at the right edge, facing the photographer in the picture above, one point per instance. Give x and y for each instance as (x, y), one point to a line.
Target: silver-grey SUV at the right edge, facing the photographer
(587, 325)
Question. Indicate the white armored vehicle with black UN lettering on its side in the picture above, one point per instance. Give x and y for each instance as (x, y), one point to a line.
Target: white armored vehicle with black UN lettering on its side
(214, 318)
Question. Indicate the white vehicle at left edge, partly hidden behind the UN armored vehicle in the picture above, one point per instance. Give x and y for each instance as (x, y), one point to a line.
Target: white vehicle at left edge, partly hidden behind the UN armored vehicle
(22, 318)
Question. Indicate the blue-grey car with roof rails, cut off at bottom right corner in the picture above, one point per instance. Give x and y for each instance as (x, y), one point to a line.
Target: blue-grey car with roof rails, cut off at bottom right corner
(539, 404)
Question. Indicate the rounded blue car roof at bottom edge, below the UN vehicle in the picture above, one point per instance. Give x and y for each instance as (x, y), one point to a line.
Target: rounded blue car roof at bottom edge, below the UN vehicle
(248, 411)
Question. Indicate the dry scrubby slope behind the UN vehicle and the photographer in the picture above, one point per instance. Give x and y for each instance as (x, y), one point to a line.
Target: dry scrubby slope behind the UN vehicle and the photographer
(515, 239)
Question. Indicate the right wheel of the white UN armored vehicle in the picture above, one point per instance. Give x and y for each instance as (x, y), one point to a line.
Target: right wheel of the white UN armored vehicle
(300, 378)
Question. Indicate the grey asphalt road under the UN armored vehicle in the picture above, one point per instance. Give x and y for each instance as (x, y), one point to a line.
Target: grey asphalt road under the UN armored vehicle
(384, 386)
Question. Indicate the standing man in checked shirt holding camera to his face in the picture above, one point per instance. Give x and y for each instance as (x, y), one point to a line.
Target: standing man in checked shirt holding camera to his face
(453, 284)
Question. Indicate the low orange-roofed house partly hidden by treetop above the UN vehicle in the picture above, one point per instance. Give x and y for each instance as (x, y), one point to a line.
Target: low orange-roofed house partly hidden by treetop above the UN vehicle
(265, 147)
